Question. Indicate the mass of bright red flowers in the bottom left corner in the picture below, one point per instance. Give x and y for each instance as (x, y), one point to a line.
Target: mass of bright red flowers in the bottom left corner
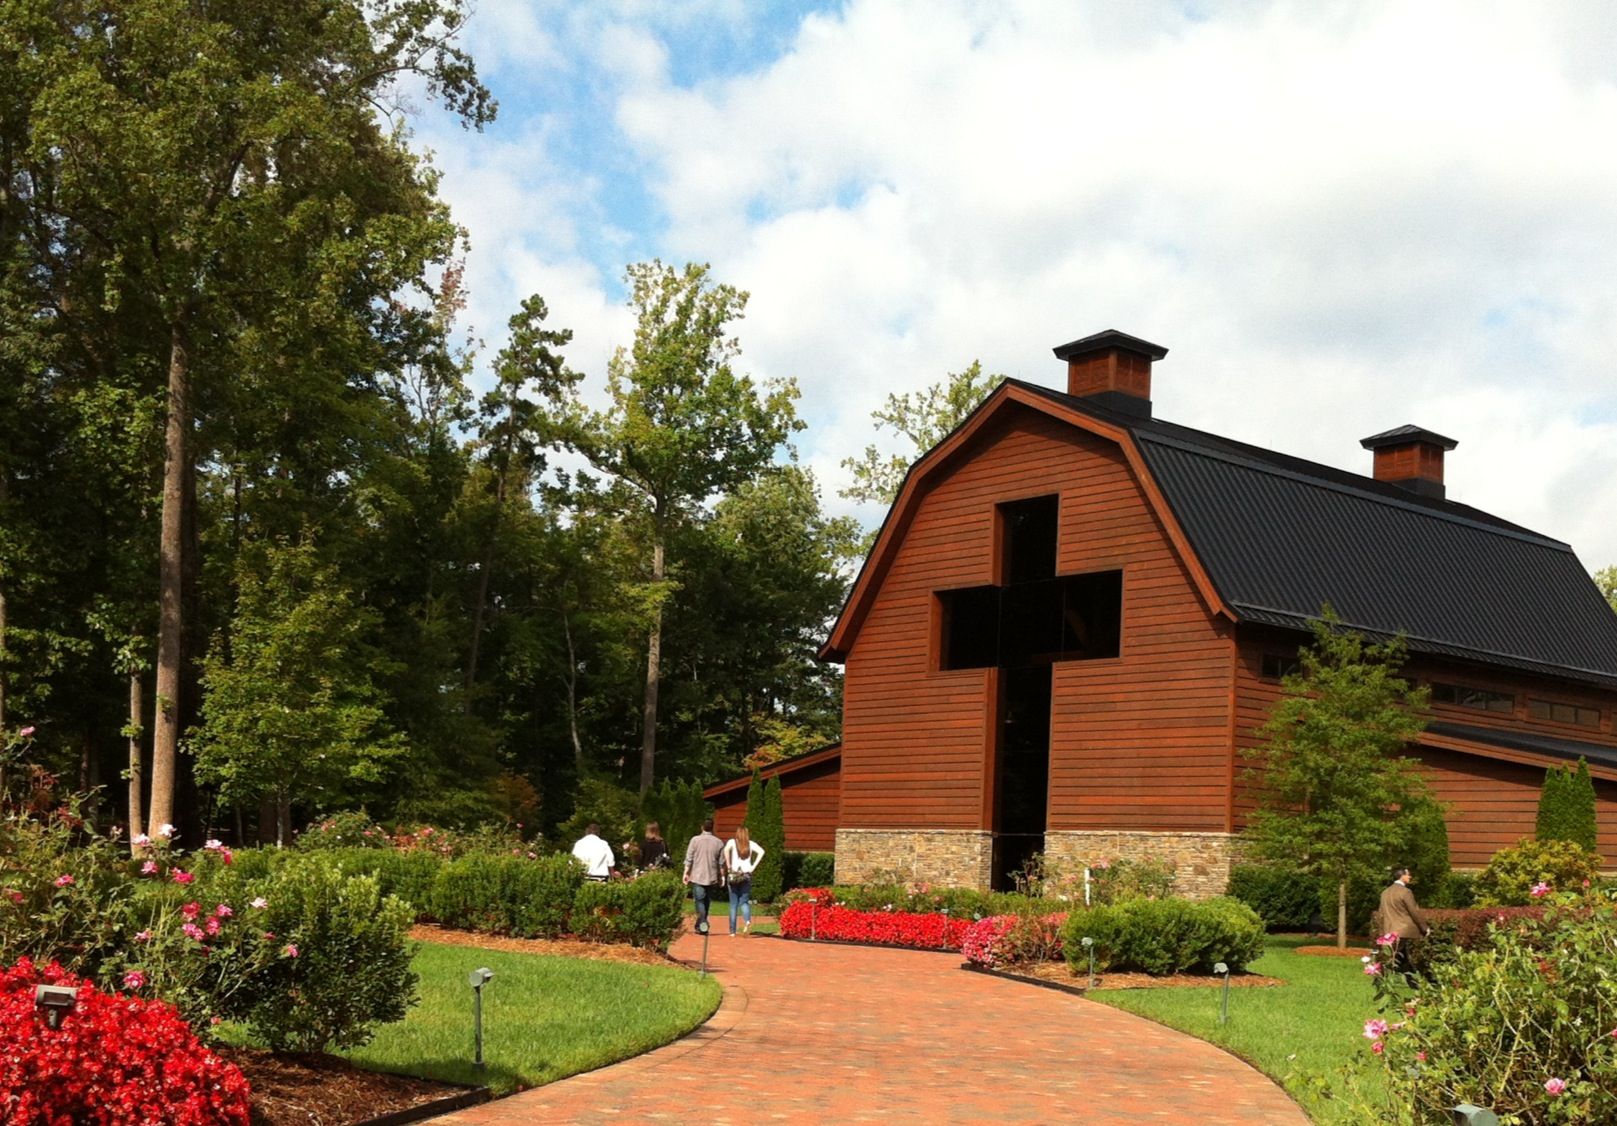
(116, 1060)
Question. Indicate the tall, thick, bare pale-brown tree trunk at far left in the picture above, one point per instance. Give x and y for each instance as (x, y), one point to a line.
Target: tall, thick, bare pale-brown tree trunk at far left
(171, 627)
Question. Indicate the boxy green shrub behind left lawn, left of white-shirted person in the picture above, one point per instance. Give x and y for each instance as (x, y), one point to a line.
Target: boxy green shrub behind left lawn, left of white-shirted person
(507, 895)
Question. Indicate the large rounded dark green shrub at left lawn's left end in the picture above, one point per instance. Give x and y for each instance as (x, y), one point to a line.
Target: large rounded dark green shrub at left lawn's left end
(344, 960)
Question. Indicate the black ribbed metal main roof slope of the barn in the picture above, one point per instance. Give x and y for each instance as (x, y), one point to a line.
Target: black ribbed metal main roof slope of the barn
(1283, 536)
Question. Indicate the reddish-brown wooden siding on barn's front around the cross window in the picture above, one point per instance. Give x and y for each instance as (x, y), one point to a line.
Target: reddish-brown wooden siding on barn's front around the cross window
(1138, 743)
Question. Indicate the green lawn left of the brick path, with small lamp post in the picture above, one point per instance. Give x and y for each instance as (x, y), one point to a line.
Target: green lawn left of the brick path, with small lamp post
(544, 1018)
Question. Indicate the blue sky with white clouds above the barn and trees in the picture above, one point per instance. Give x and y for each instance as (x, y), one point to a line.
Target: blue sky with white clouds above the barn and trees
(1340, 218)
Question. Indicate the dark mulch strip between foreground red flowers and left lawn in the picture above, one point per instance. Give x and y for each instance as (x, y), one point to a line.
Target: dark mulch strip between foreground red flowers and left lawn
(293, 1090)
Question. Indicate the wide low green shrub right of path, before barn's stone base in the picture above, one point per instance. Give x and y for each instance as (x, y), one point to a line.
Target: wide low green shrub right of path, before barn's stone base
(1165, 936)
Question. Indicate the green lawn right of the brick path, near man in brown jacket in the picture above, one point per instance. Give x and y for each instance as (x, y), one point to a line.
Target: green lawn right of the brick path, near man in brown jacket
(1314, 1025)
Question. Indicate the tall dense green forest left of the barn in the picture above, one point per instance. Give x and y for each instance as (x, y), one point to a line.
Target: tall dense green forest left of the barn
(264, 551)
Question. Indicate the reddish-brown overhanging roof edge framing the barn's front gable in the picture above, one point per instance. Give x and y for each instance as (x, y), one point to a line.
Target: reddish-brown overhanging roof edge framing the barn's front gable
(935, 464)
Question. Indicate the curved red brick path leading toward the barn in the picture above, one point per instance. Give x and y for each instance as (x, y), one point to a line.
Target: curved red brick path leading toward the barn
(851, 1035)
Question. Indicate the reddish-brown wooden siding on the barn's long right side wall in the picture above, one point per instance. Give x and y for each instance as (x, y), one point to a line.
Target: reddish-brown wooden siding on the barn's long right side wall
(1493, 803)
